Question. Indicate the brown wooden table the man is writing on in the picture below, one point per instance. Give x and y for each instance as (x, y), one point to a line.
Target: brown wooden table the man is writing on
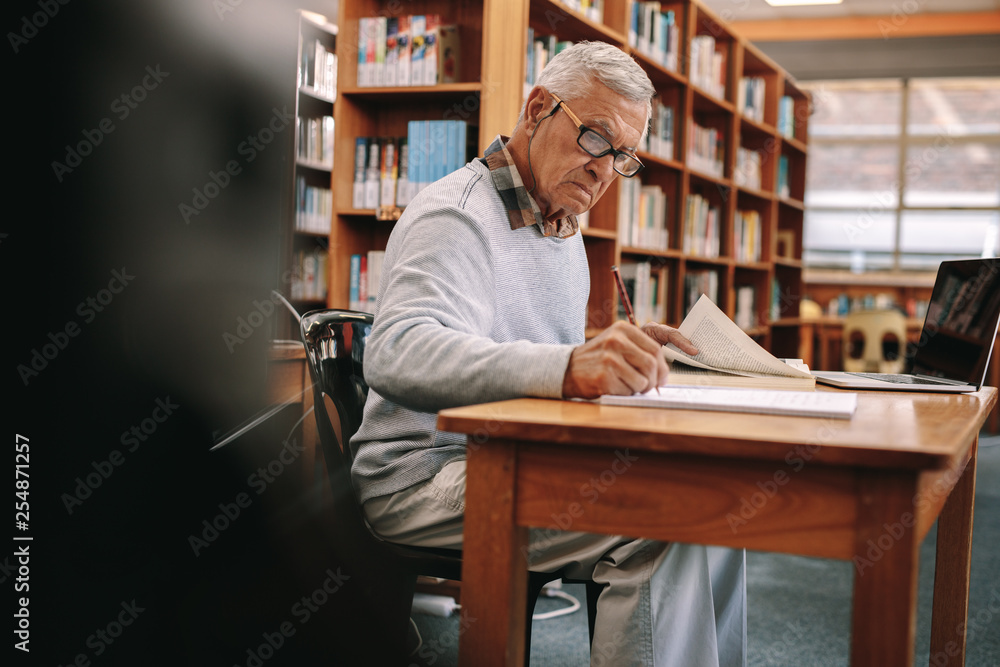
(866, 489)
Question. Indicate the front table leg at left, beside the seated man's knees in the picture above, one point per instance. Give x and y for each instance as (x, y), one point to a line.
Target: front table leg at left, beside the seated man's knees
(494, 571)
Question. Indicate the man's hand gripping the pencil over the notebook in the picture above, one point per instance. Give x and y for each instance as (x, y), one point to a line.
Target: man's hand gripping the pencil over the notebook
(622, 360)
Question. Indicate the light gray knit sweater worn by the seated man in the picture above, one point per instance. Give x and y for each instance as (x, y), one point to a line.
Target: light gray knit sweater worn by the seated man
(468, 311)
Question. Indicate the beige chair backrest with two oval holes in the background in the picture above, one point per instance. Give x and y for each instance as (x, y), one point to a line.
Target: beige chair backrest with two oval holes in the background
(874, 341)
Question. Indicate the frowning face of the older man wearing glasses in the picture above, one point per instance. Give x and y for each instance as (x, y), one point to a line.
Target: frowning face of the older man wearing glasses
(570, 180)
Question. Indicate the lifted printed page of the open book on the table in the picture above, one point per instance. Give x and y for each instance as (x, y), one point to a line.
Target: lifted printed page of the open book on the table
(724, 346)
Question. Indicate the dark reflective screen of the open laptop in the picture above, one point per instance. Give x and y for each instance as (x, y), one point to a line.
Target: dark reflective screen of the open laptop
(961, 322)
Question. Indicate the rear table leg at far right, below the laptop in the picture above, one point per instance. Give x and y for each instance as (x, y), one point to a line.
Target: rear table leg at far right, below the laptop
(951, 570)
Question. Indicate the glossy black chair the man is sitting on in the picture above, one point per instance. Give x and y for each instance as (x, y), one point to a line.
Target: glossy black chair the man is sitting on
(335, 344)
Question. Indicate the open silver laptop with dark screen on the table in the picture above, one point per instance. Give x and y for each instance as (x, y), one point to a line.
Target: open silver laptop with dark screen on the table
(953, 351)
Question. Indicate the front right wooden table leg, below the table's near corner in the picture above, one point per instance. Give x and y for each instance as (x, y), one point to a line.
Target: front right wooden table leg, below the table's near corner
(885, 572)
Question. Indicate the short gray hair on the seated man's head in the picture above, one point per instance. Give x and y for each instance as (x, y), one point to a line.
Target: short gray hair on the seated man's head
(575, 67)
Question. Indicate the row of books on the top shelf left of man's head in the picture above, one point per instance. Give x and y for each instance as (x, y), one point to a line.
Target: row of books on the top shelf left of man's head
(412, 50)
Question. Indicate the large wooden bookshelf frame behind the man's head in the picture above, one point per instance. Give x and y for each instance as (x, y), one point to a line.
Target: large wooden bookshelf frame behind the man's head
(489, 94)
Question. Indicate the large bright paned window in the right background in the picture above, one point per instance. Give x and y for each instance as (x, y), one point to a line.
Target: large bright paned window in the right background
(902, 173)
